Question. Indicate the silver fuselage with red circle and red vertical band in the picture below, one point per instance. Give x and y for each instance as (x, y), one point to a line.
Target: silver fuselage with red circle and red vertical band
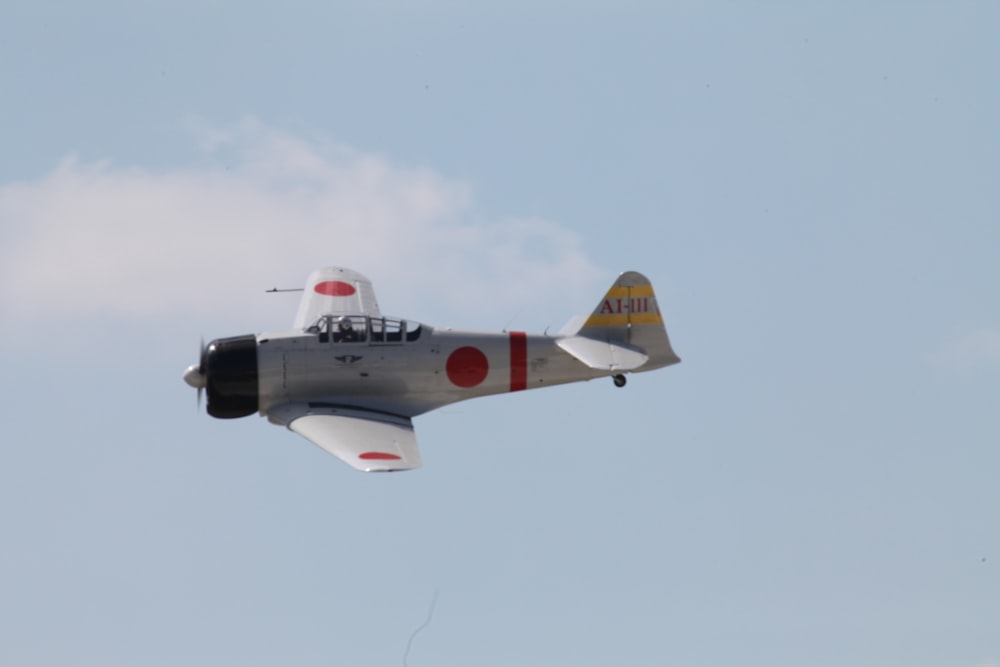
(407, 378)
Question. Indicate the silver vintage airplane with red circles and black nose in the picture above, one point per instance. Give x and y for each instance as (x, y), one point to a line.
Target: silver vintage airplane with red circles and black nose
(351, 380)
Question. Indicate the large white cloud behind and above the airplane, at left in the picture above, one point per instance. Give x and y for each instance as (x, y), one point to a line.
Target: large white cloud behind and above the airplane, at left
(95, 238)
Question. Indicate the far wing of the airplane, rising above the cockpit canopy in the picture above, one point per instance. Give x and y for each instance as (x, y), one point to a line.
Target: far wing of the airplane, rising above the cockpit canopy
(336, 291)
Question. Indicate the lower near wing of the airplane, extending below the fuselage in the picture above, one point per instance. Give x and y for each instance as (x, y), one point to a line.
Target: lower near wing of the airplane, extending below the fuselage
(365, 440)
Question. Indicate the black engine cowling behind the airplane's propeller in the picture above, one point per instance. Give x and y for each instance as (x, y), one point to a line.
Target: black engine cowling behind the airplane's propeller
(231, 382)
